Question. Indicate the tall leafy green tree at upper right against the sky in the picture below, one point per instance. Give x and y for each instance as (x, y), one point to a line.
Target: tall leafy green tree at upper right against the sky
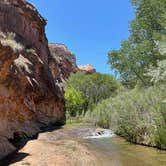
(141, 49)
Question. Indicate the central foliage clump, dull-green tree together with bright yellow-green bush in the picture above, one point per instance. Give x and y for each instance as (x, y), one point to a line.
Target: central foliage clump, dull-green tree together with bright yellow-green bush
(90, 88)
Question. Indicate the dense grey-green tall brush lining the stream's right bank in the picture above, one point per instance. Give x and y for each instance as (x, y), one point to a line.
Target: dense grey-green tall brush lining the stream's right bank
(139, 115)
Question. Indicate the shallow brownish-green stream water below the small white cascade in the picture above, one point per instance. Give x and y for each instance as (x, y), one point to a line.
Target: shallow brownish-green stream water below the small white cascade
(115, 151)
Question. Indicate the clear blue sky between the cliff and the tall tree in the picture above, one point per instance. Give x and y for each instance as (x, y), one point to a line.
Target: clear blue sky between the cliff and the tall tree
(89, 28)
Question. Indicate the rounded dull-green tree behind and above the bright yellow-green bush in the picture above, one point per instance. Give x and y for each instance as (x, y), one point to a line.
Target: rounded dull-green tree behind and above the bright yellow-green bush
(95, 87)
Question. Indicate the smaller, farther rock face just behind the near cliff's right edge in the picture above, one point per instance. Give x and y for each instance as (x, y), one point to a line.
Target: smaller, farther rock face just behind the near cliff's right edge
(64, 59)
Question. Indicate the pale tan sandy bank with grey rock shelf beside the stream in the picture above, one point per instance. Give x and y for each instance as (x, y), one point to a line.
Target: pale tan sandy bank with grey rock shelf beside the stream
(58, 147)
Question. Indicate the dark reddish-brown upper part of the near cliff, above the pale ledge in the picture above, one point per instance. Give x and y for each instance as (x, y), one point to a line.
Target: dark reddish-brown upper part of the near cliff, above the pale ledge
(22, 18)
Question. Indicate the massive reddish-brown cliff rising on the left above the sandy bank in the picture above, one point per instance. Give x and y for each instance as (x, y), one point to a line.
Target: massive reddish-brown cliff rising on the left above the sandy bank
(30, 99)
